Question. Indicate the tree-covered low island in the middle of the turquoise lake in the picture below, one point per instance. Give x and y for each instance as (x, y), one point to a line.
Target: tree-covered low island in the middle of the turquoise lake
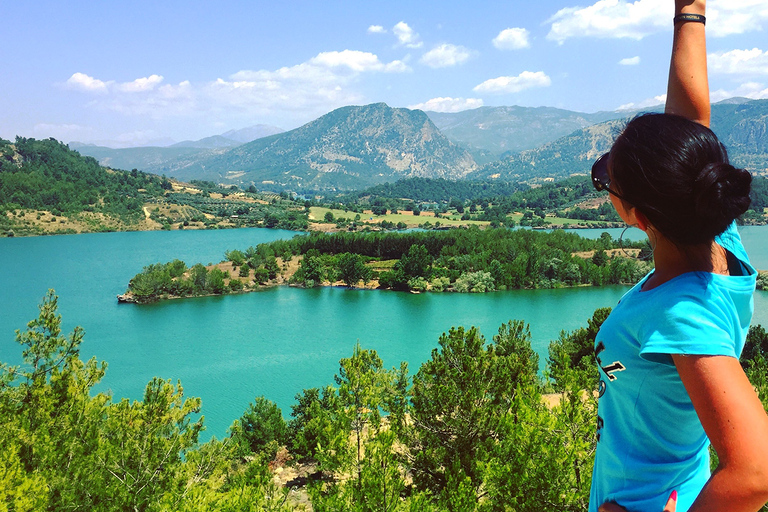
(461, 260)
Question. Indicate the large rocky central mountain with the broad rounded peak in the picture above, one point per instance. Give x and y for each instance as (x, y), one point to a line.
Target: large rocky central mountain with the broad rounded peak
(351, 147)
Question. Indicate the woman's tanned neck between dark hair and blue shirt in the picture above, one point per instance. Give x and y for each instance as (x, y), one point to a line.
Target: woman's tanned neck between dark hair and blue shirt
(671, 260)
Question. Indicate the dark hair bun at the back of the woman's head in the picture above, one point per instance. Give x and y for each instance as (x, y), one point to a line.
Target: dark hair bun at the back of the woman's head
(721, 193)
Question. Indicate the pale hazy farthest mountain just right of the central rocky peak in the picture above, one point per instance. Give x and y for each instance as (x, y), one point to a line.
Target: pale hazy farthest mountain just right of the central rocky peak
(497, 131)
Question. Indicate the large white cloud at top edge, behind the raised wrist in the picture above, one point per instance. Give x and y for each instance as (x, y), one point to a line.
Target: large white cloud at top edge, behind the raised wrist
(636, 20)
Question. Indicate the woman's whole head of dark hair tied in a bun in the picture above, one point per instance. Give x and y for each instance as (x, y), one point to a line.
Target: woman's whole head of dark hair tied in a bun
(676, 172)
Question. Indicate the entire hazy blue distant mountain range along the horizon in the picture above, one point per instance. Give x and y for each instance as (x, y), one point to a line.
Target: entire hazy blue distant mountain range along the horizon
(358, 146)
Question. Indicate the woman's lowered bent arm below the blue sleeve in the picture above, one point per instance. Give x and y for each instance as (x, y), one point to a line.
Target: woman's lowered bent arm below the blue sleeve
(737, 426)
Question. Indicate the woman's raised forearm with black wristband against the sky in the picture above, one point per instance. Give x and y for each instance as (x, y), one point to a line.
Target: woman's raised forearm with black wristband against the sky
(688, 88)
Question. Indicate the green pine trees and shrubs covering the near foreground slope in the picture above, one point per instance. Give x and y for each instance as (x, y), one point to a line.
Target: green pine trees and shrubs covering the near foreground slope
(473, 429)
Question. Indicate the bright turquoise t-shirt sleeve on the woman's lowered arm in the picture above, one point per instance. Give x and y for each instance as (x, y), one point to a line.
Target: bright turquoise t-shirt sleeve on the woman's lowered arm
(688, 327)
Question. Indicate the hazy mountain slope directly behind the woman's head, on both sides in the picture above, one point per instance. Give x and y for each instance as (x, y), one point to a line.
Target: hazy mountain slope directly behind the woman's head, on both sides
(743, 128)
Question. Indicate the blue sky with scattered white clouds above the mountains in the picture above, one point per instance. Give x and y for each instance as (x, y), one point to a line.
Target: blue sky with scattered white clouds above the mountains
(129, 73)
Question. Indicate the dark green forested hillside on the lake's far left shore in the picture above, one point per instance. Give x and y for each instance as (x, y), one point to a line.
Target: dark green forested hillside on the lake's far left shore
(46, 188)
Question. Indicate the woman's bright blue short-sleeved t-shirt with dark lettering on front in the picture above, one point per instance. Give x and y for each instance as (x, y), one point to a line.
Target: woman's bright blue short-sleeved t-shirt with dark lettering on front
(650, 440)
